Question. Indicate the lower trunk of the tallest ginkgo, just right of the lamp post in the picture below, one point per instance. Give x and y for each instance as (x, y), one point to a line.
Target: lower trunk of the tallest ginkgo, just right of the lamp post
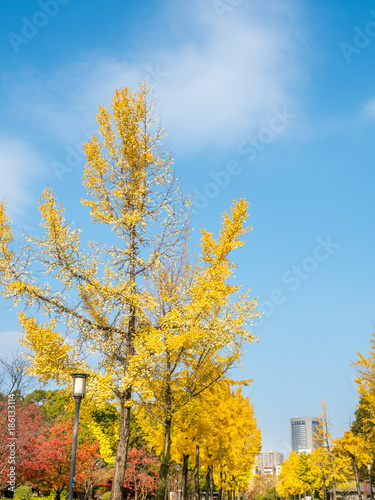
(117, 491)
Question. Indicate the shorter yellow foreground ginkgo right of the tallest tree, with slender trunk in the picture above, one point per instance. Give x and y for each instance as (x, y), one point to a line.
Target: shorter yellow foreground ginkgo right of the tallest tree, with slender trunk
(198, 321)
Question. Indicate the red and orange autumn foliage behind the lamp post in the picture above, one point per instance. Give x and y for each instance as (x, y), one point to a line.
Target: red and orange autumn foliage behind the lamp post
(43, 456)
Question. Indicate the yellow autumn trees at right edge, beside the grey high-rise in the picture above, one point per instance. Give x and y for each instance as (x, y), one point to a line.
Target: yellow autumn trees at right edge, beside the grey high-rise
(343, 464)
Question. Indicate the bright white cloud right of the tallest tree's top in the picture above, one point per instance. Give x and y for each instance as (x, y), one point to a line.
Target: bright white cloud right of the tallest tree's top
(225, 88)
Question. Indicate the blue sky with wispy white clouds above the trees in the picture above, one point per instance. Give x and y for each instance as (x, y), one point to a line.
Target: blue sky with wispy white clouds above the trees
(267, 99)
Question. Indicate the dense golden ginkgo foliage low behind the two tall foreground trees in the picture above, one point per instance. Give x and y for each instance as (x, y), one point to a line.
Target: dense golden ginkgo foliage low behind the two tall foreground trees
(219, 429)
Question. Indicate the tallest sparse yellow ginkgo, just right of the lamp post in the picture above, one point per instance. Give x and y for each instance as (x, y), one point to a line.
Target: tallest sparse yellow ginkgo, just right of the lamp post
(92, 295)
